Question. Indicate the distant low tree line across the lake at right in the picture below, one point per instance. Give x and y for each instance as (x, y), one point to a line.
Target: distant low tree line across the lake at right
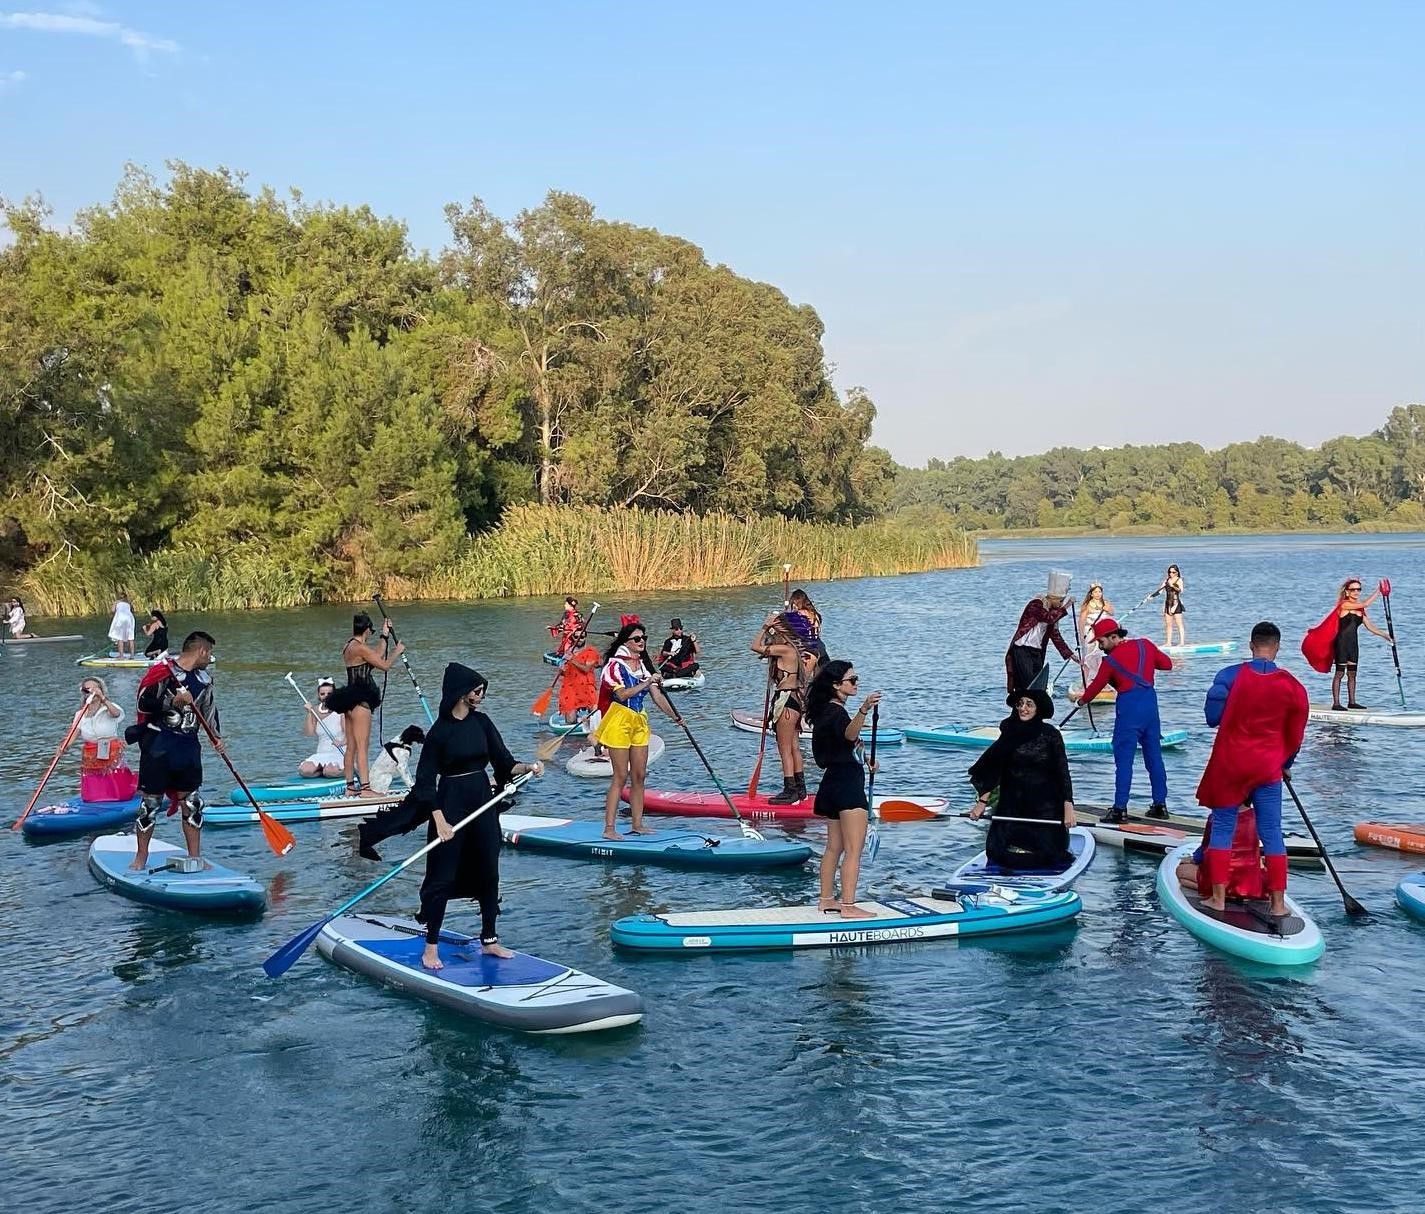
(1262, 485)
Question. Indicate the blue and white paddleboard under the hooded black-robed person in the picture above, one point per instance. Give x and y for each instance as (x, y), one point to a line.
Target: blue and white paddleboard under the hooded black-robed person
(522, 992)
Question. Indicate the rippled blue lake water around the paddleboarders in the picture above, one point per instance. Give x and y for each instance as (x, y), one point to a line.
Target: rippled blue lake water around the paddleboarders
(1118, 1067)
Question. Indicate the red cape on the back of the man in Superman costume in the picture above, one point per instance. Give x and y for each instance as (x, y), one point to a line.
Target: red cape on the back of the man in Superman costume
(1263, 725)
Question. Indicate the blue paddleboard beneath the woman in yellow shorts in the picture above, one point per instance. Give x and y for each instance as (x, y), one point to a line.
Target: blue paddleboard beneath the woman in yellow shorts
(585, 840)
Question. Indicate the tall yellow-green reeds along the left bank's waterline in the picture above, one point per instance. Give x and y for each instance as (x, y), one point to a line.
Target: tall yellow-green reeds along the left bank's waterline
(537, 551)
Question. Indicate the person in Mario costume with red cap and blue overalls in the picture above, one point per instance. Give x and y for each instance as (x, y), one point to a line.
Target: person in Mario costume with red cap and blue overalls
(1131, 666)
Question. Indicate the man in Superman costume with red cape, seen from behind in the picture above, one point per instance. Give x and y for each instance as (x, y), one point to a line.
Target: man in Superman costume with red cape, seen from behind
(1260, 715)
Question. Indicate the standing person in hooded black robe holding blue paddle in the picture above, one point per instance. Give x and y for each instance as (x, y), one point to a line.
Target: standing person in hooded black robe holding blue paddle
(452, 784)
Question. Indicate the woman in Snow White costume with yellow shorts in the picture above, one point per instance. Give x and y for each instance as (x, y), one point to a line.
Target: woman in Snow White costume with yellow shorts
(625, 688)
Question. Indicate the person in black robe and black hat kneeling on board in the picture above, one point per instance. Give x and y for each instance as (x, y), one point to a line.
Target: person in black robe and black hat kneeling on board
(1030, 766)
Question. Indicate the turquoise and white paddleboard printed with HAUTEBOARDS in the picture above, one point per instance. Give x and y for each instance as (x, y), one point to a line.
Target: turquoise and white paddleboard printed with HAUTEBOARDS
(893, 921)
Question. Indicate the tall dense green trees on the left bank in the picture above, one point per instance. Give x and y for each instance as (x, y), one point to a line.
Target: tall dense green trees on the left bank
(204, 367)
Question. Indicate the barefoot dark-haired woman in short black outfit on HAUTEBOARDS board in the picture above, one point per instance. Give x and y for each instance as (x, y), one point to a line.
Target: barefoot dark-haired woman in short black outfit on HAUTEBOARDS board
(841, 799)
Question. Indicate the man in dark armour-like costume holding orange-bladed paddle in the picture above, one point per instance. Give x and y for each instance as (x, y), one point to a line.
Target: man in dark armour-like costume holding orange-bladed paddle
(172, 697)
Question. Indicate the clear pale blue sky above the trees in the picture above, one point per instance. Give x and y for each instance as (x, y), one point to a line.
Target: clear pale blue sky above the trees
(1022, 224)
